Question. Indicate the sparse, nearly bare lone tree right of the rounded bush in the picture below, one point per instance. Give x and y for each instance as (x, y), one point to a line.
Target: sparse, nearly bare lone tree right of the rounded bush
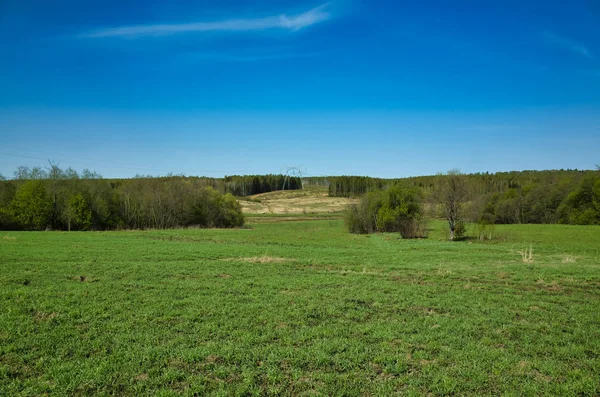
(452, 194)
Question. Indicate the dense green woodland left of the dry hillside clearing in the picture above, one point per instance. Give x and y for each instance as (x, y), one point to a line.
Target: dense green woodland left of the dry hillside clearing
(57, 199)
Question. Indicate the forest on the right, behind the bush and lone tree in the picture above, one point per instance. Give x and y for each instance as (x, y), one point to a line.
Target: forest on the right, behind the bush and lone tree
(558, 196)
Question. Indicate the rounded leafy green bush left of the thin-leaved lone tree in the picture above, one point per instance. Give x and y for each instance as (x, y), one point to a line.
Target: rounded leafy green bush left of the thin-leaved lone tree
(397, 209)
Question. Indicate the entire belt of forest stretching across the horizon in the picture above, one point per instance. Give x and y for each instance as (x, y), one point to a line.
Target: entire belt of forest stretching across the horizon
(52, 198)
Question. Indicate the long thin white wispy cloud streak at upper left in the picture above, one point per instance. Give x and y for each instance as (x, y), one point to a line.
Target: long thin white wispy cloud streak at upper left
(282, 22)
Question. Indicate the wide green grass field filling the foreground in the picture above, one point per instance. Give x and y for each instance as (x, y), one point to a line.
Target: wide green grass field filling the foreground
(299, 308)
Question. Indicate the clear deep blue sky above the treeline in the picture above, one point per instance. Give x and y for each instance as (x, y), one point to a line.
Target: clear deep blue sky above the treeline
(380, 88)
